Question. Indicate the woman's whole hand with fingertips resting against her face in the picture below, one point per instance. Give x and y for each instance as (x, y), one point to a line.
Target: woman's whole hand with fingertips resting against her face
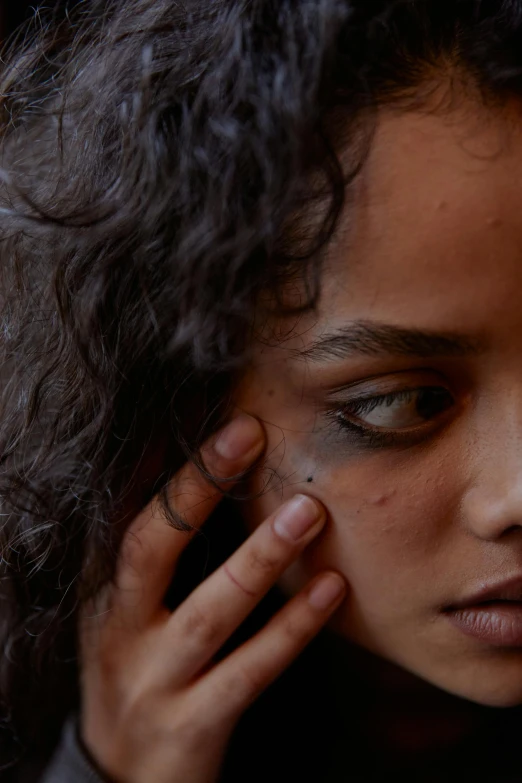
(155, 707)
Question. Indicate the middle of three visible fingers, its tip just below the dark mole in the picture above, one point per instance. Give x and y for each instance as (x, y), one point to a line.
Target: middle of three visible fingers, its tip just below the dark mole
(207, 618)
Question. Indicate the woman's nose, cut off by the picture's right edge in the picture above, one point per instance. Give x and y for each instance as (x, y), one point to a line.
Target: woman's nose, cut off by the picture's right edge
(492, 505)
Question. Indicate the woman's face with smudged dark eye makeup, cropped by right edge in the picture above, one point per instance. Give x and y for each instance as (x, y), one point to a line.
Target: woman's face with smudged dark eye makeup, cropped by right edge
(422, 306)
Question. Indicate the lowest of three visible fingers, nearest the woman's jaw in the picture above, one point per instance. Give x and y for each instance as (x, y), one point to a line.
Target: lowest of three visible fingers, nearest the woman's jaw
(233, 684)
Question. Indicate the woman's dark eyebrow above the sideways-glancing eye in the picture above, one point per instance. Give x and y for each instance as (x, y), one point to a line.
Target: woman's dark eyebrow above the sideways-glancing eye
(370, 338)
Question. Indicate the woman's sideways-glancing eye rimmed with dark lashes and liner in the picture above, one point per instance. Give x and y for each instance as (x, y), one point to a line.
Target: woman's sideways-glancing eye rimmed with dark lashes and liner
(396, 418)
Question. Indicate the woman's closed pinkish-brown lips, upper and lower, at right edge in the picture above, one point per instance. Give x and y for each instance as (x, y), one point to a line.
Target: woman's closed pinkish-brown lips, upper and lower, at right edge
(492, 615)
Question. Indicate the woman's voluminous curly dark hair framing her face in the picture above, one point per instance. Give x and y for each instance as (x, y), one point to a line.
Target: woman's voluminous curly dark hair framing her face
(162, 166)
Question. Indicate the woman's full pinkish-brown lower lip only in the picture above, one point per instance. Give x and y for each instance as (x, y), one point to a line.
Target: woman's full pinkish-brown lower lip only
(499, 624)
